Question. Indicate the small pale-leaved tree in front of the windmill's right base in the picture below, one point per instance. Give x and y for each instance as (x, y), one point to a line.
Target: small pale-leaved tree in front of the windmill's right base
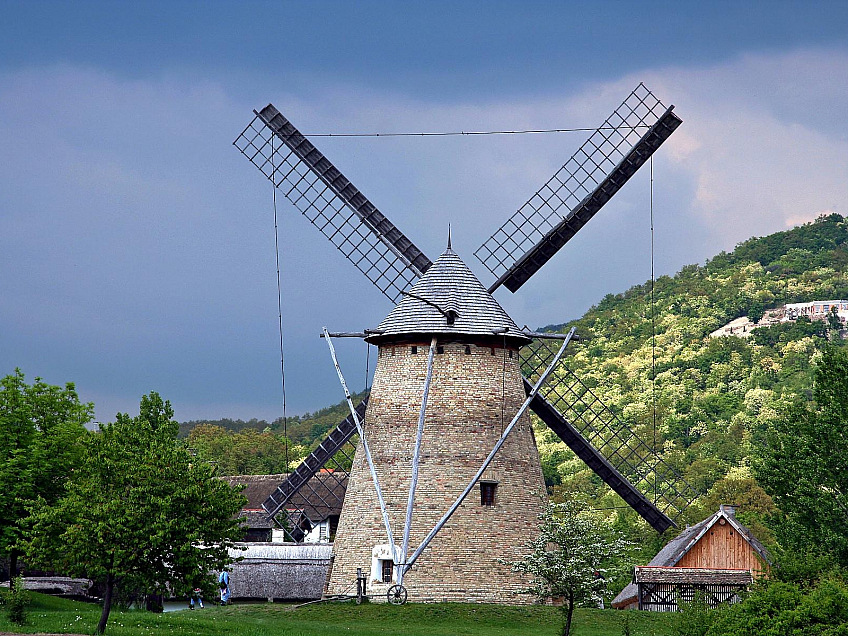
(570, 558)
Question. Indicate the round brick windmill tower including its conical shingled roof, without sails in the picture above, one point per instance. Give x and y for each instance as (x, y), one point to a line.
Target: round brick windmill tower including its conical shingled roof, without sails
(476, 388)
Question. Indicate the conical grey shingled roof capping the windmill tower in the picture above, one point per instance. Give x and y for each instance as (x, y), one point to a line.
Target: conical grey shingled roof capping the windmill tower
(448, 287)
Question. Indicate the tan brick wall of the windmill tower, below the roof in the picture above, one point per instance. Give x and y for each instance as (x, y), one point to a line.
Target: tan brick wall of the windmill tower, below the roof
(472, 397)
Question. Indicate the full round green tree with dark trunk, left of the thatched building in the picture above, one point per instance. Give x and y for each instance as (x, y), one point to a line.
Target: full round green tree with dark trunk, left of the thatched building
(141, 513)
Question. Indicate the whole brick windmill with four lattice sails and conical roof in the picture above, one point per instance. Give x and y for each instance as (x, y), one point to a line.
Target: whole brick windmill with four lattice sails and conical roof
(477, 368)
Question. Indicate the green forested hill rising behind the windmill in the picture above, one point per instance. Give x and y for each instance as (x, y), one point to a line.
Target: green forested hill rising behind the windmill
(713, 395)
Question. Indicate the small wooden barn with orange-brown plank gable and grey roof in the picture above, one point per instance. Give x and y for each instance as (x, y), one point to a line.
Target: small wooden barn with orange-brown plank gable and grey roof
(718, 557)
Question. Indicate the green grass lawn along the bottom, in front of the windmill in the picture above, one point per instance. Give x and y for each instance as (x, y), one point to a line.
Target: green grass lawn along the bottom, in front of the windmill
(53, 615)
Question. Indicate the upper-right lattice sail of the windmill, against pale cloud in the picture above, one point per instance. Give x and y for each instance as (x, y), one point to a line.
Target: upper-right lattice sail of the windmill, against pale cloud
(586, 174)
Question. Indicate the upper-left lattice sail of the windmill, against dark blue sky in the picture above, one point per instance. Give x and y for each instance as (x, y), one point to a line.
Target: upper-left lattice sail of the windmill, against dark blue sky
(332, 203)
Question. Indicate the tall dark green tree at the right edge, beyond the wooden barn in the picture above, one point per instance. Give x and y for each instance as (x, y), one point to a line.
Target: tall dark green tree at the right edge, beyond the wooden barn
(802, 465)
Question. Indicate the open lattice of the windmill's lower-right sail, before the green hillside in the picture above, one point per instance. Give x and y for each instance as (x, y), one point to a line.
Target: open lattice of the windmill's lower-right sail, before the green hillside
(640, 464)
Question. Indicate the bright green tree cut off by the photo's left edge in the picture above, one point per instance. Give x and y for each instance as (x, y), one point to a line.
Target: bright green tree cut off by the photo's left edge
(40, 431)
